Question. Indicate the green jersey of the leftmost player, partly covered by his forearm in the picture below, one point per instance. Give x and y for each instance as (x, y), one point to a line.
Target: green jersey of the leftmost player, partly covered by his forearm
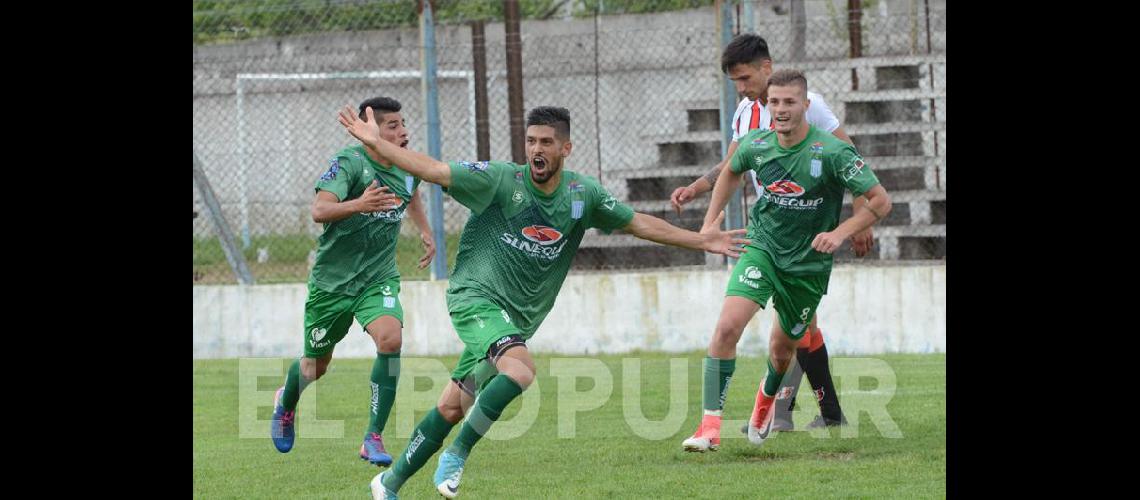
(360, 250)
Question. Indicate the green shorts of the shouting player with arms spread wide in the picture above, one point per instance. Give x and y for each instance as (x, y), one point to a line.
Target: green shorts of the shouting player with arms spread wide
(483, 327)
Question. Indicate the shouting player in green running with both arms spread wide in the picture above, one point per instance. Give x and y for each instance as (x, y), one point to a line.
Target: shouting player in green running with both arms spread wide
(526, 225)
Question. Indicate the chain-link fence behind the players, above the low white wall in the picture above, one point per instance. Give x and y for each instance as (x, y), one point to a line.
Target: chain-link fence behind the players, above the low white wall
(641, 79)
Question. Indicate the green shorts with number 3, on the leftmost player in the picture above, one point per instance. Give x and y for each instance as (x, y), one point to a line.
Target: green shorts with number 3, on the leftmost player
(328, 316)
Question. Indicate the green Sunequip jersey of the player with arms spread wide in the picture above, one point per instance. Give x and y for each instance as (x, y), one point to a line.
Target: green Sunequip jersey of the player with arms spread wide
(519, 243)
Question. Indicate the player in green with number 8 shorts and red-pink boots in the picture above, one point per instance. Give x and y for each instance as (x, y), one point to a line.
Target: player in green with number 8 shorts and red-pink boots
(794, 228)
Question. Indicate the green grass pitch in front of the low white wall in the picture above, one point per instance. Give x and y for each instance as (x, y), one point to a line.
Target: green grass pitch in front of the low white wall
(605, 458)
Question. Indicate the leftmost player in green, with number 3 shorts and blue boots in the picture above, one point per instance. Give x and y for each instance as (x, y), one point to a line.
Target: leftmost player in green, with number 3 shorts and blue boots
(362, 201)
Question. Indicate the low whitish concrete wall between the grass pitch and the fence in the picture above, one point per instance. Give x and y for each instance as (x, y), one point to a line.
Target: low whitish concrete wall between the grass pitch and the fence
(868, 310)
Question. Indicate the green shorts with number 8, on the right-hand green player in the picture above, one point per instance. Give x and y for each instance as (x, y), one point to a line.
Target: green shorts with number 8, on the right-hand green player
(796, 298)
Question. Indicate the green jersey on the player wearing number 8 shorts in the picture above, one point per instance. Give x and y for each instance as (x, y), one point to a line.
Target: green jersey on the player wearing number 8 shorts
(802, 194)
